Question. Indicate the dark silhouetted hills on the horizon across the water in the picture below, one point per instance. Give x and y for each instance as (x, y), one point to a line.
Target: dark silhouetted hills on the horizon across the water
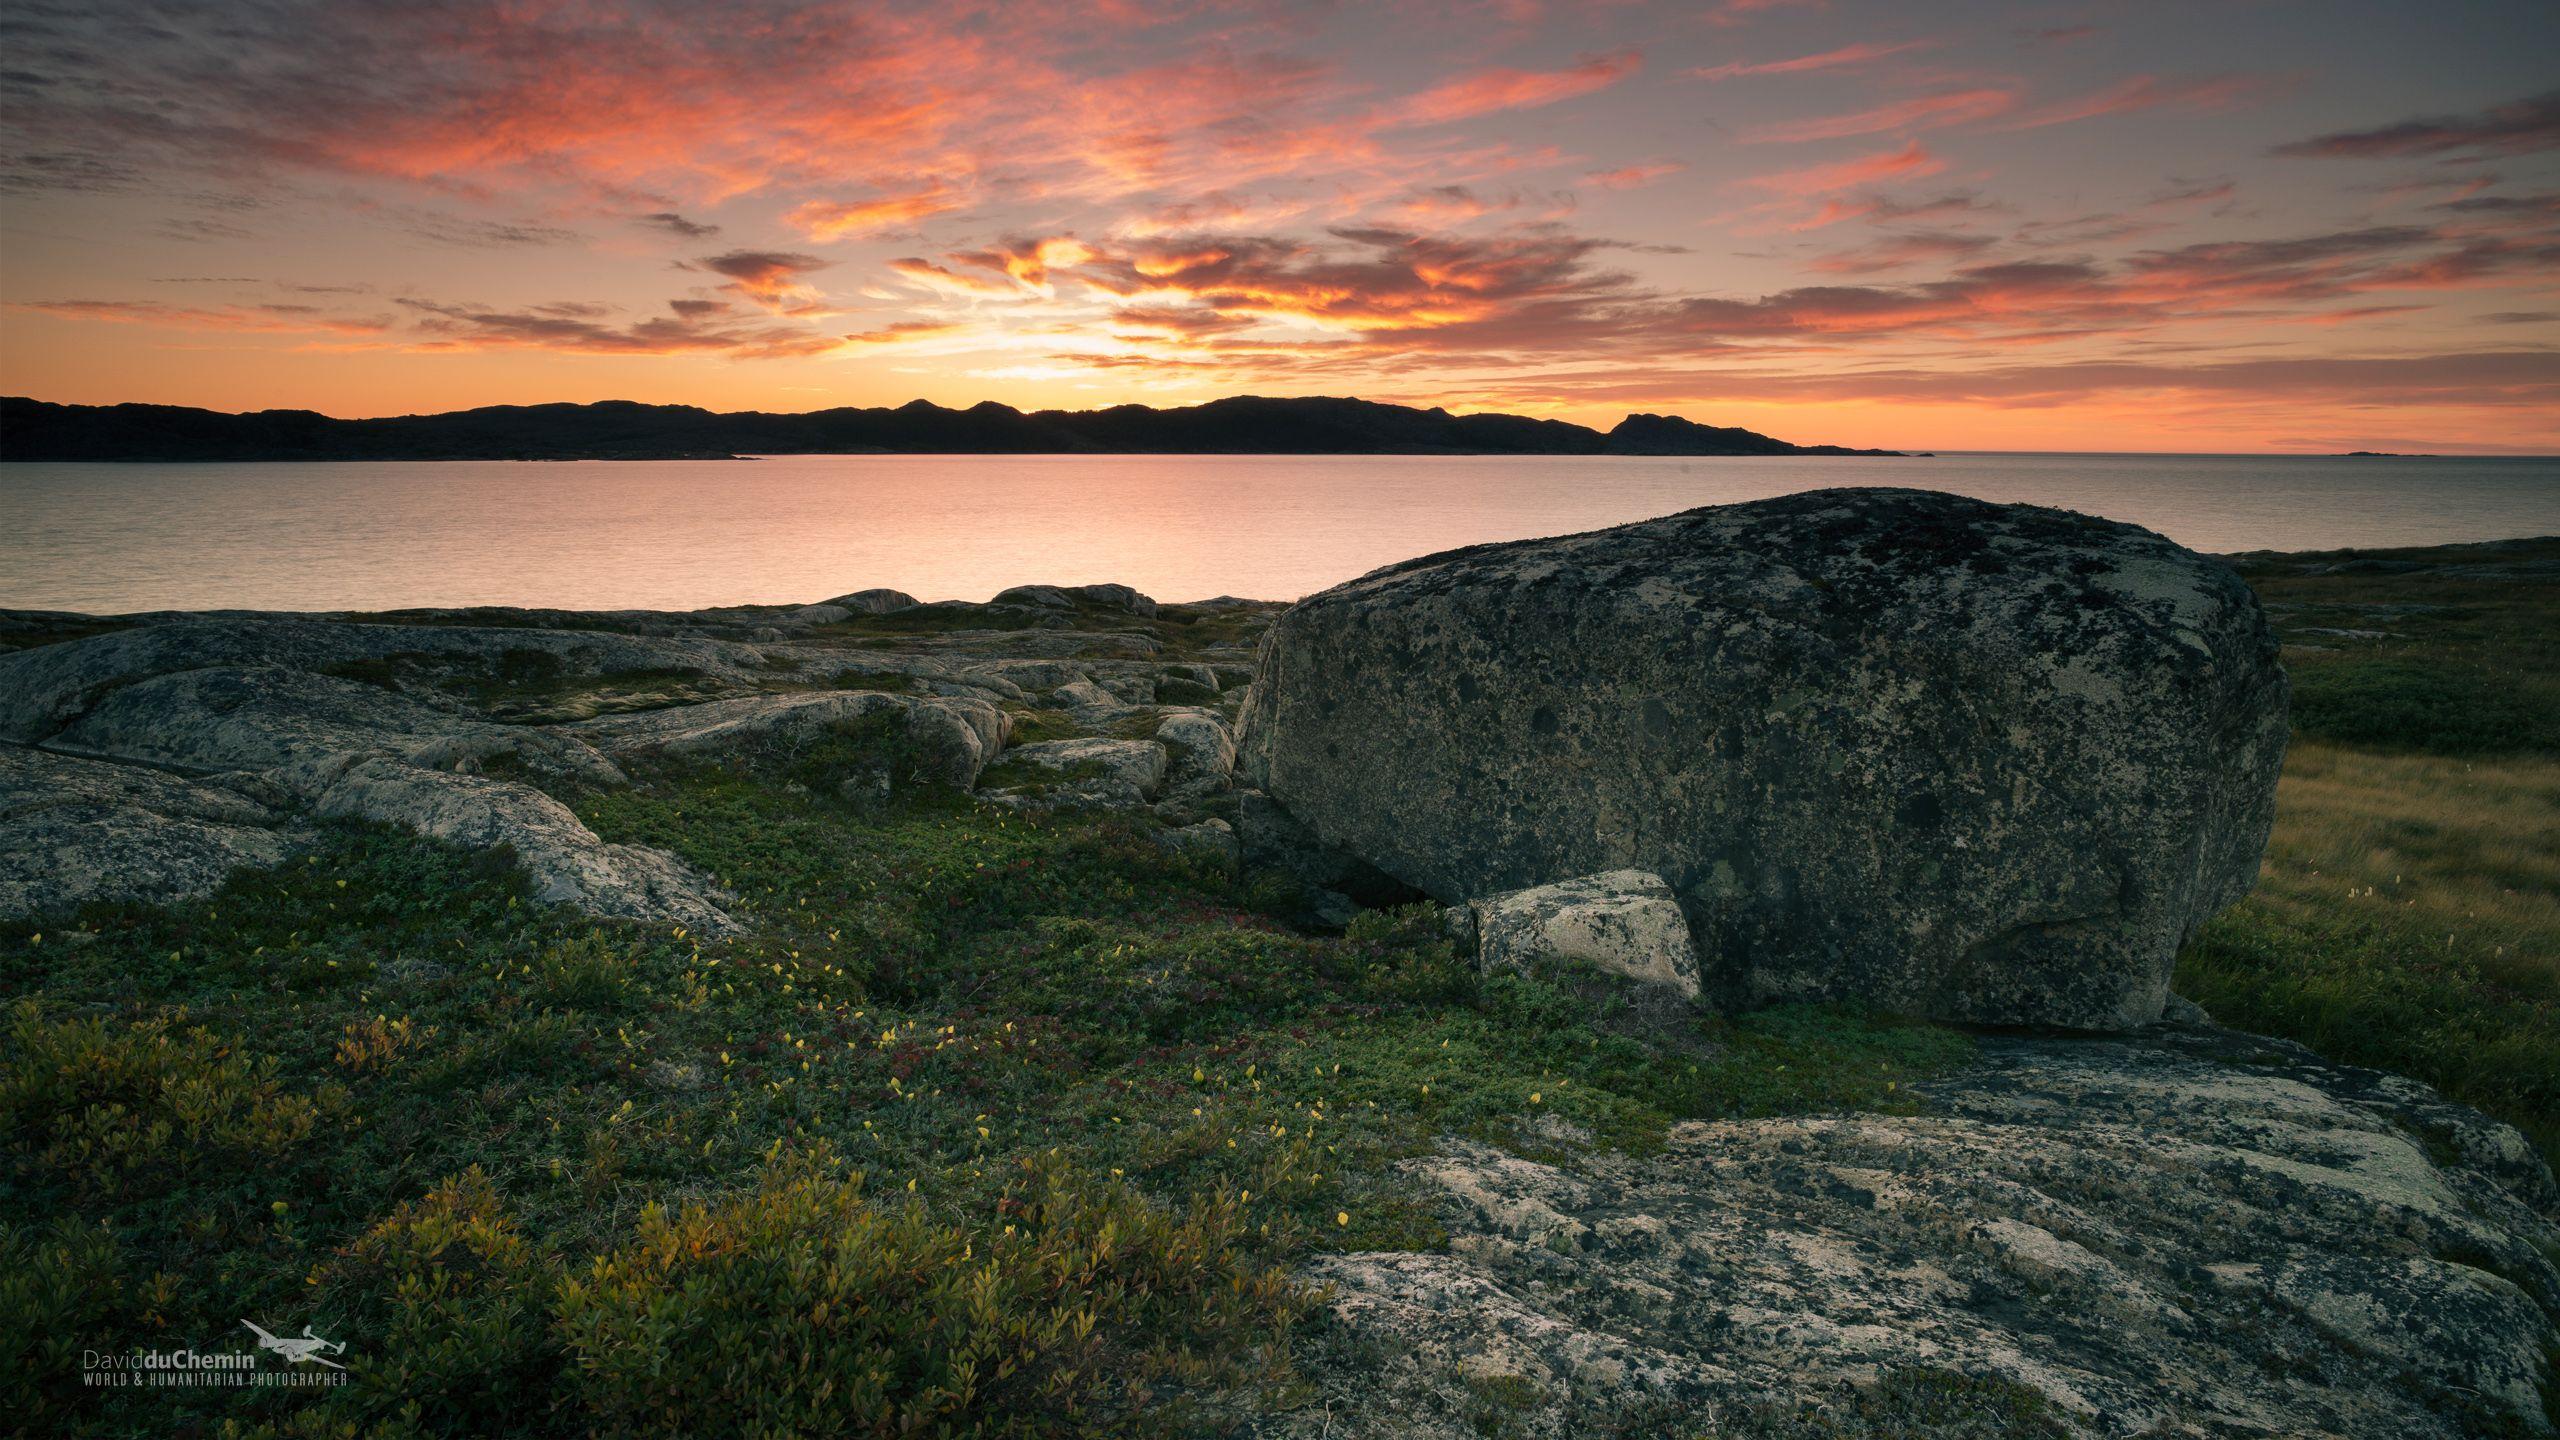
(621, 429)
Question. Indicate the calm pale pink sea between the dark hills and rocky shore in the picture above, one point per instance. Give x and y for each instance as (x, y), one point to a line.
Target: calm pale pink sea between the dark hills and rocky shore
(687, 534)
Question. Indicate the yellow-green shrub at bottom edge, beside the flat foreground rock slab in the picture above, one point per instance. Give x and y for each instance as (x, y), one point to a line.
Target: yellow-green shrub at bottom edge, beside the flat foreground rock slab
(810, 1308)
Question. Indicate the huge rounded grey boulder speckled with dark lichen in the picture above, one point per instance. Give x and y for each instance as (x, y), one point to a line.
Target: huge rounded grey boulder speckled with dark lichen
(1975, 762)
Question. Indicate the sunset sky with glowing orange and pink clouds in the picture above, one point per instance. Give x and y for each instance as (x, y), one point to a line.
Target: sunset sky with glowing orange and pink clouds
(2054, 227)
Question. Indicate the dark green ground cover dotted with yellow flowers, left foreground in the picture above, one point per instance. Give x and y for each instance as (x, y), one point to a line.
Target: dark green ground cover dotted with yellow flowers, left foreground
(997, 1126)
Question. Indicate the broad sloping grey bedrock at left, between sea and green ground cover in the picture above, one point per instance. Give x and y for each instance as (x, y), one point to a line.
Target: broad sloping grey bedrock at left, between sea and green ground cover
(252, 703)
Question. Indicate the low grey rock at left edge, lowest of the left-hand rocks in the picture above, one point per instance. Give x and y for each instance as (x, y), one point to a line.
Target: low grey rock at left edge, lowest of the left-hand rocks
(76, 831)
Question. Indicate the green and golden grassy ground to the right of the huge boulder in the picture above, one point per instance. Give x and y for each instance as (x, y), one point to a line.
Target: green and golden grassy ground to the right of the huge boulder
(2410, 906)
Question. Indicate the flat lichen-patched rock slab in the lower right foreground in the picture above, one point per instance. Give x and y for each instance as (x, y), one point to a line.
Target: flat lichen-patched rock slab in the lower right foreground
(2200, 1234)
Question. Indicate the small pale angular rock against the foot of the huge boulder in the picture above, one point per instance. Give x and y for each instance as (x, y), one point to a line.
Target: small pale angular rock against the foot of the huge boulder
(1624, 924)
